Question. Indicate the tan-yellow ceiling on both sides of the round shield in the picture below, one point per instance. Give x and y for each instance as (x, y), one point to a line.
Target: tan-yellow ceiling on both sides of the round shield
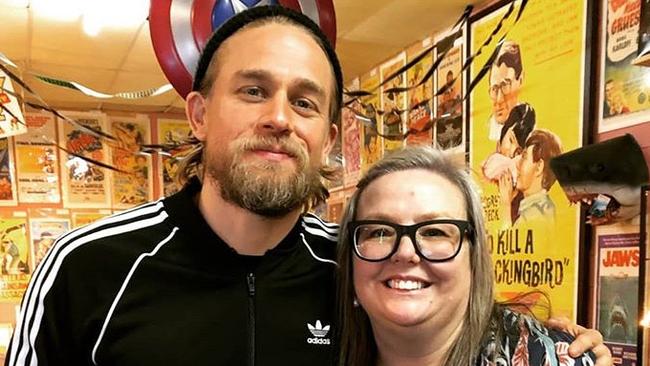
(121, 60)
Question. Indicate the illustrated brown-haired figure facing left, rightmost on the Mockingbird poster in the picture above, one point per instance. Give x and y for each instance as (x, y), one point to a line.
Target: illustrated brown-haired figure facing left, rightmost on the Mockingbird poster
(535, 177)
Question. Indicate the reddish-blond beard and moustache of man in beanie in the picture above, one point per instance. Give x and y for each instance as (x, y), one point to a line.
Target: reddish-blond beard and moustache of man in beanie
(259, 186)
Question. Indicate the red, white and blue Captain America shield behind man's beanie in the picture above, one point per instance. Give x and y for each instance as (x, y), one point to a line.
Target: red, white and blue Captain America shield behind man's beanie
(181, 28)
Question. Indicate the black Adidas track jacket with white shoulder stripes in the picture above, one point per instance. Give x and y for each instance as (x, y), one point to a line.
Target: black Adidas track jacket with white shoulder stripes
(156, 286)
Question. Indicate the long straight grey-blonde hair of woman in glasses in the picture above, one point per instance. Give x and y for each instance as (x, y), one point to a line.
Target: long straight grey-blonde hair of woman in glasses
(357, 342)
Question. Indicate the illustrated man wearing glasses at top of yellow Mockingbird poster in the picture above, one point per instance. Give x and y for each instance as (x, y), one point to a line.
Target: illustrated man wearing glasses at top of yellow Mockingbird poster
(506, 77)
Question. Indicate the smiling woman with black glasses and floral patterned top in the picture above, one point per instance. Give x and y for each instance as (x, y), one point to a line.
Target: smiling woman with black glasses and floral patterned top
(416, 285)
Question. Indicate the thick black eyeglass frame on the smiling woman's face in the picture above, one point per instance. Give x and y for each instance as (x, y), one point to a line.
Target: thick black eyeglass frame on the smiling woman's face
(464, 226)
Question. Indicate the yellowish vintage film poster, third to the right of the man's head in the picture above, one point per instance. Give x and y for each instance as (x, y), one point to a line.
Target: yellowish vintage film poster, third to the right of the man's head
(393, 104)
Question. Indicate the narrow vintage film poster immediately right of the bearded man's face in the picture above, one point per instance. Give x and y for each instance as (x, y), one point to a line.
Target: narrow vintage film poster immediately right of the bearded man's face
(351, 135)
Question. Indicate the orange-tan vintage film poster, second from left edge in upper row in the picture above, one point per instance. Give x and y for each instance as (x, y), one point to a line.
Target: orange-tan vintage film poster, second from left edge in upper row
(37, 160)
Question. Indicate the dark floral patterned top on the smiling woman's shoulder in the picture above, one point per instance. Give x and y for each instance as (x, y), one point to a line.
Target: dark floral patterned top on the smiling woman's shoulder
(526, 342)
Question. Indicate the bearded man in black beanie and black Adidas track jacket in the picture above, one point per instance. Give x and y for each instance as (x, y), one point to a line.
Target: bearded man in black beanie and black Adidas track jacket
(228, 271)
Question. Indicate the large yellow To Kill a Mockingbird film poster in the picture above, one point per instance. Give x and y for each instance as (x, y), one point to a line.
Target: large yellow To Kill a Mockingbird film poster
(518, 123)
